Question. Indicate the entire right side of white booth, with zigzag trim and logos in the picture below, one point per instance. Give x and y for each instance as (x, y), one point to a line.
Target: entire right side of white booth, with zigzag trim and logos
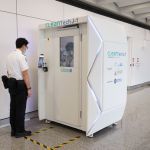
(106, 100)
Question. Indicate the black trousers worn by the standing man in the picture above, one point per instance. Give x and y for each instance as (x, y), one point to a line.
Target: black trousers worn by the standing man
(18, 96)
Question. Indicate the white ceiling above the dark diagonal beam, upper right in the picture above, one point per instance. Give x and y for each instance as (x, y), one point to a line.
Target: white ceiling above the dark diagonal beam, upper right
(136, 9)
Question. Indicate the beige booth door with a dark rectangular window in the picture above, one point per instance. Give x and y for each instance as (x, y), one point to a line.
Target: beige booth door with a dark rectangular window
(67, 78)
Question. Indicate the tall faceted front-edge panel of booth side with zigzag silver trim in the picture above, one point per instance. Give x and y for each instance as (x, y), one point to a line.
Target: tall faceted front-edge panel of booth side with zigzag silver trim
(94, 76)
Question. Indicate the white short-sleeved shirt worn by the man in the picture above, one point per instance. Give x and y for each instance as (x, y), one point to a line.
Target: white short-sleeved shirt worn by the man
(16, 63)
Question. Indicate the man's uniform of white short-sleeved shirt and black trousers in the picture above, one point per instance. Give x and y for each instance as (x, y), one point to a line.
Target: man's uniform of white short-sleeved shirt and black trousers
(16, 63)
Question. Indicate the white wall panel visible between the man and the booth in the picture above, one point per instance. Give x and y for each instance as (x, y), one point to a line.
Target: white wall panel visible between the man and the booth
(28, 28)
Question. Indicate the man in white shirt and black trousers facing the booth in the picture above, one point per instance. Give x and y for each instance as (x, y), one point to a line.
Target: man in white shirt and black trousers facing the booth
(19, 87)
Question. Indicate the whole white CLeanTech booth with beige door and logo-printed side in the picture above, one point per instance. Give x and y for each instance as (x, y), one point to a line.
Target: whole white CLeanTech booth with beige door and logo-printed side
(82, 75)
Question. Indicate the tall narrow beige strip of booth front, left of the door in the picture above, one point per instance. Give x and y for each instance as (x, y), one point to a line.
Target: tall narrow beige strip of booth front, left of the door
(49, 88)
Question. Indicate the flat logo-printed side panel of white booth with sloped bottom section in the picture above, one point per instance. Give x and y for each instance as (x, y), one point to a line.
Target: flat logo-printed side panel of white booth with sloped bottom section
(114, 87)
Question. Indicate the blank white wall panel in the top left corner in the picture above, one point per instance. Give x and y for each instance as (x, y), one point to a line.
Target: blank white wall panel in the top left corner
(8, 5)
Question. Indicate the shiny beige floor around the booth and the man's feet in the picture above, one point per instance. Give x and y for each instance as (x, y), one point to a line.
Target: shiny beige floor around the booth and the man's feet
(132, 133)
